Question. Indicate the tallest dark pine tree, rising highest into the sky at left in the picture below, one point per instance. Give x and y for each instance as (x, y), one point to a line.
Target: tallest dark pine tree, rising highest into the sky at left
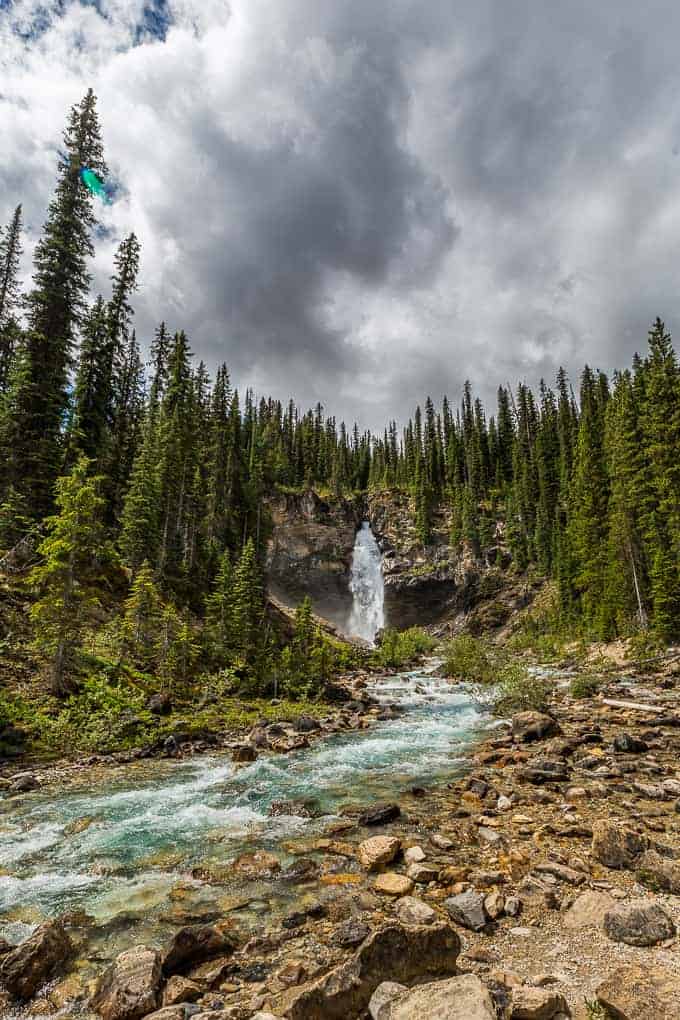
(32, 431)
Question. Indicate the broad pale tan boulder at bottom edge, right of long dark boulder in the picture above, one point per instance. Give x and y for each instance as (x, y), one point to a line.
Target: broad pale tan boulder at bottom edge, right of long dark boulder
(462, 998)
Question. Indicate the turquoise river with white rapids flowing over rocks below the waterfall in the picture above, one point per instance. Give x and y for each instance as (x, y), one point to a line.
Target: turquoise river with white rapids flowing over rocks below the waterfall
(152, 846)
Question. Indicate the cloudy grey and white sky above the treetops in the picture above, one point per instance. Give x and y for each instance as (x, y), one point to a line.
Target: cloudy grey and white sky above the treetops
(365, 201)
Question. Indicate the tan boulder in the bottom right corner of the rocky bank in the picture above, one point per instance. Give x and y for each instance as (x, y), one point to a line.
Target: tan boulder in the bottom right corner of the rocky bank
(642, 993)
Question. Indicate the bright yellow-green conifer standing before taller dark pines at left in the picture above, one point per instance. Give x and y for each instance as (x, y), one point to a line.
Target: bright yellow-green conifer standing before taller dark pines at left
(72, 552)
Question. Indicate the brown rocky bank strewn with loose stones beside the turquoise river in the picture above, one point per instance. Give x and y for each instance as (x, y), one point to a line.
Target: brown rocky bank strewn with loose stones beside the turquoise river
(543, 877)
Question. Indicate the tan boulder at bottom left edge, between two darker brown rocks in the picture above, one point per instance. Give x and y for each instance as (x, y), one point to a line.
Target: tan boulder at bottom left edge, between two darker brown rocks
(130, 988)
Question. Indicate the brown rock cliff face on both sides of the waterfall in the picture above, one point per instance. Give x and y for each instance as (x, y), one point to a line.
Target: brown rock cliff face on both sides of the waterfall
(310, 553)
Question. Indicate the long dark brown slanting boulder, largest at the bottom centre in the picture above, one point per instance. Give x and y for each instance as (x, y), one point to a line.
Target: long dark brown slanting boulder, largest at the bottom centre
(392, 953)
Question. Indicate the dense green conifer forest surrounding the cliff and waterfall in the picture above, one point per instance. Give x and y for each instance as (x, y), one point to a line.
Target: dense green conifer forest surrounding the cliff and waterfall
(142, 488)
